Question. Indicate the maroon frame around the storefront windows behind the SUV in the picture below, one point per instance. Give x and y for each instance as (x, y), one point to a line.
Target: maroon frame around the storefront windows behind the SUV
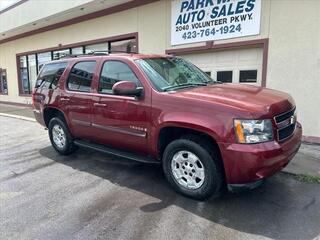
(134, 35)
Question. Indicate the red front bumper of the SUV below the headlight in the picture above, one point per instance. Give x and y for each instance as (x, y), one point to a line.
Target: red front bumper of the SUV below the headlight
(248, 163)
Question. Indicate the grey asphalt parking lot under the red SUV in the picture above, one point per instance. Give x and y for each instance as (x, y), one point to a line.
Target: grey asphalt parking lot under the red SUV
(90, 195)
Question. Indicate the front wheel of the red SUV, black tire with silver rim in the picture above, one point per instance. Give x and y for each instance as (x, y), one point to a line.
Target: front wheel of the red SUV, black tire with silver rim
(185, 151)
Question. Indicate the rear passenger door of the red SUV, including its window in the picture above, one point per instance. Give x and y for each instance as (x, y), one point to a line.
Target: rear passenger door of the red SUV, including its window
(76, 100)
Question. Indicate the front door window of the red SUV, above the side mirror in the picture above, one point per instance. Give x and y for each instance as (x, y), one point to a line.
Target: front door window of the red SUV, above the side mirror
(113, 72)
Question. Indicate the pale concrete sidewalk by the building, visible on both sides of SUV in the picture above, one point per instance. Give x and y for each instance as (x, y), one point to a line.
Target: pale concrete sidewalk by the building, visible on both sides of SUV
(307, 160)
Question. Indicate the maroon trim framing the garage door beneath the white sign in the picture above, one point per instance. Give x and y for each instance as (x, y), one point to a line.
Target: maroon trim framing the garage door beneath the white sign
(211, 46)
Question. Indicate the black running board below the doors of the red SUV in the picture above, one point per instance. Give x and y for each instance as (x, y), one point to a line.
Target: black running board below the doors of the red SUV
(116, 152)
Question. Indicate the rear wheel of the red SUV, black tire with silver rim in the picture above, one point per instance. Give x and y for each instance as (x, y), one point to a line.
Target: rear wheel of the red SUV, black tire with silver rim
(65, 146)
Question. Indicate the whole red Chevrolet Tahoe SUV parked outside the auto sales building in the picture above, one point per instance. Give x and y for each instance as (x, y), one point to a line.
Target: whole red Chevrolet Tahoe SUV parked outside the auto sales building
(163, 109)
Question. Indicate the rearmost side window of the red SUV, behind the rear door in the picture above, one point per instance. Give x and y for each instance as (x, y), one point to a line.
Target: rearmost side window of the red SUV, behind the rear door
(50, 75)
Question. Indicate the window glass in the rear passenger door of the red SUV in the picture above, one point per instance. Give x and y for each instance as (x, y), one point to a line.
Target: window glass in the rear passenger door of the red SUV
(81, 75)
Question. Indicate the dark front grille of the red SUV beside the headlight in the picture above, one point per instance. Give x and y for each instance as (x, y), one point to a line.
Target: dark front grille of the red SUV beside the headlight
(286, 124)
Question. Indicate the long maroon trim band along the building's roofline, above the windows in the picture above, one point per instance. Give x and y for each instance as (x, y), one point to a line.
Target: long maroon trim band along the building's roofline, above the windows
(101, 13)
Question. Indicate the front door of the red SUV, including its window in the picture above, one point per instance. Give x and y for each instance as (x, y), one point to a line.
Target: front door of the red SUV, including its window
(120, 121)
